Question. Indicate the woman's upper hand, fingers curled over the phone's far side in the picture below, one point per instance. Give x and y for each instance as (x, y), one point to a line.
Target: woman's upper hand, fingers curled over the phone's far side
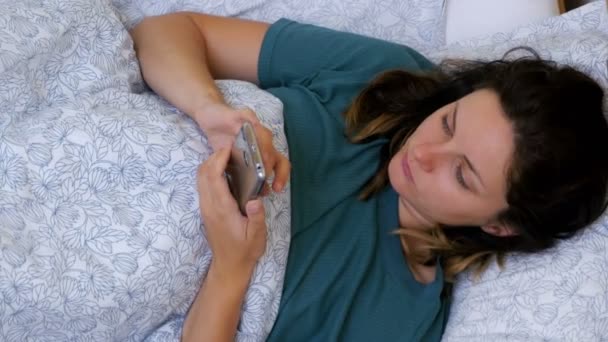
(221, 123)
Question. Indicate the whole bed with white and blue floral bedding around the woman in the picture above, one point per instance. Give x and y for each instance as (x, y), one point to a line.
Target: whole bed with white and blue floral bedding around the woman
(99, 229)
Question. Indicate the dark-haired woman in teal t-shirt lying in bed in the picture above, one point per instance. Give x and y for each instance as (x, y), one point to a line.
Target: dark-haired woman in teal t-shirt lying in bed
(471, 163)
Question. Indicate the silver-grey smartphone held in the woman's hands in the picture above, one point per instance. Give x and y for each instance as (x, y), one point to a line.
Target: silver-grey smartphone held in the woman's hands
(245, 171)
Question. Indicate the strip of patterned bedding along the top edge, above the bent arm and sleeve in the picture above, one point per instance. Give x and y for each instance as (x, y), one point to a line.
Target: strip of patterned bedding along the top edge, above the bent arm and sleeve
(418, 23)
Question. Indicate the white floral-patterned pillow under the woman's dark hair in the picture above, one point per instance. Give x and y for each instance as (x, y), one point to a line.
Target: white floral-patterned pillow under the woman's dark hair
(560, 294)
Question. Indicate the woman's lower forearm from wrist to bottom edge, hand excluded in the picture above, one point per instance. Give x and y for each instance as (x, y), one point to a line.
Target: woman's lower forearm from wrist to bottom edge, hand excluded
(215, 313)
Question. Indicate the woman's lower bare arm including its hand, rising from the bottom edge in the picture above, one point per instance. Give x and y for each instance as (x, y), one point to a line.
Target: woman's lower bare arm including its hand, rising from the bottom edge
(237, 243)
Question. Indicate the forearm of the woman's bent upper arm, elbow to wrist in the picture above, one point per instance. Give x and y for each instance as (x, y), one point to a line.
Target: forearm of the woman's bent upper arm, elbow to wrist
(172, 54)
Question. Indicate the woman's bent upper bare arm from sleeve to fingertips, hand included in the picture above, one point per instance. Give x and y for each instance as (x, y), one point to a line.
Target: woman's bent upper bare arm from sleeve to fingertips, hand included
(180, 56)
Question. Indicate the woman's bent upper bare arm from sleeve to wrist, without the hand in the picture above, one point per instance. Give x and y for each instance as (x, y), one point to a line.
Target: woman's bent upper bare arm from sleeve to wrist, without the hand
(182, 53)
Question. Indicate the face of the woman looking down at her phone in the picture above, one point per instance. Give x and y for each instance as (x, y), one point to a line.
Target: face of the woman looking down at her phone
(453, 169)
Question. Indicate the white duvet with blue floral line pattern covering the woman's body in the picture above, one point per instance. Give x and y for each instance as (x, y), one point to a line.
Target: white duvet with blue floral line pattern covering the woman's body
(100, 233)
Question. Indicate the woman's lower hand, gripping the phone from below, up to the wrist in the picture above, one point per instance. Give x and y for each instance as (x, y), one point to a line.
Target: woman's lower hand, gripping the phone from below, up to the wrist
(237, 242)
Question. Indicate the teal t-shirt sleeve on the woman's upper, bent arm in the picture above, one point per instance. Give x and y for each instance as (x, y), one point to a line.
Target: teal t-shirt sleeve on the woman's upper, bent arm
(293, 53)
